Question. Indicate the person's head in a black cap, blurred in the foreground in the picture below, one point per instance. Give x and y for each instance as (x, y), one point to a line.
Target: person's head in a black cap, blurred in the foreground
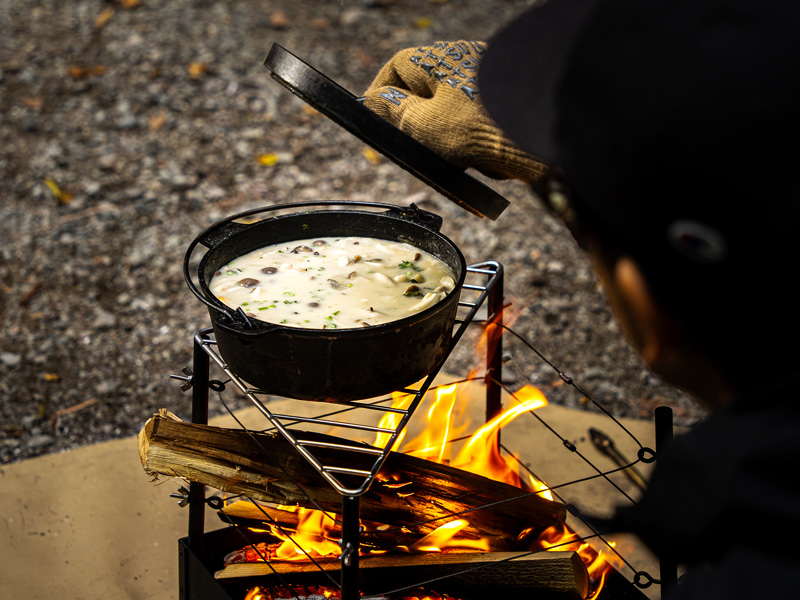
(673, 125)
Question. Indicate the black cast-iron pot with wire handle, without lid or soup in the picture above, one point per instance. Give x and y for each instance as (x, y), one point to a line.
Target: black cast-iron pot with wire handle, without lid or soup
(334, 365)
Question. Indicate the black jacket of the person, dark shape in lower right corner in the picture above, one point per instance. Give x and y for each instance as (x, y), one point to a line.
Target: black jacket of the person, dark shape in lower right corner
(724, 500)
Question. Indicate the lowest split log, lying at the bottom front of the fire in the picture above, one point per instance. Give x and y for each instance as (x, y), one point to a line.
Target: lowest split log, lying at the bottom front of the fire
(542, 575)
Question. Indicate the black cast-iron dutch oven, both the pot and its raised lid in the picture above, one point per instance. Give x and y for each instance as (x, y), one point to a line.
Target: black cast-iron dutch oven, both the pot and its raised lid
(342, 364)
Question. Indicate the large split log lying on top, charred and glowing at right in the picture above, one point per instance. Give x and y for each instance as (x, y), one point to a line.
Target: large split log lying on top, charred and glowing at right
(418, 494)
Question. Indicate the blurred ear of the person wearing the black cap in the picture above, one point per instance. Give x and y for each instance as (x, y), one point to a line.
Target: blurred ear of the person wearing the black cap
(651, 326)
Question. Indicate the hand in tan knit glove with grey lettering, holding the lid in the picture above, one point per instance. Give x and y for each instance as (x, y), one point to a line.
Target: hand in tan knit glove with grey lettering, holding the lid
(431, 93)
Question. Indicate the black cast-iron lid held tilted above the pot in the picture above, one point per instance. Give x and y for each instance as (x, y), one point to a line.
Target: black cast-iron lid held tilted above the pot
(346, 110)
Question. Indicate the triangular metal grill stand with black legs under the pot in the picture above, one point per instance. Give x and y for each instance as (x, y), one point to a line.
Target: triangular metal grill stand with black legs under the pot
(490, 293)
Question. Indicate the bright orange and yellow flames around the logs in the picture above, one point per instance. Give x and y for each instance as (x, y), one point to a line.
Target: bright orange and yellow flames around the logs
(314, 533)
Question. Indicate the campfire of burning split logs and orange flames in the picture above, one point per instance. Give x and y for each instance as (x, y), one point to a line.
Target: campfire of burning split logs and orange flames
(433, 512)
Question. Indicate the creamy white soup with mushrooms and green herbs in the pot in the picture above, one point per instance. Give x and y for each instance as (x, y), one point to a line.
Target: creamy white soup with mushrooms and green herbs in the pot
(334, 282)
